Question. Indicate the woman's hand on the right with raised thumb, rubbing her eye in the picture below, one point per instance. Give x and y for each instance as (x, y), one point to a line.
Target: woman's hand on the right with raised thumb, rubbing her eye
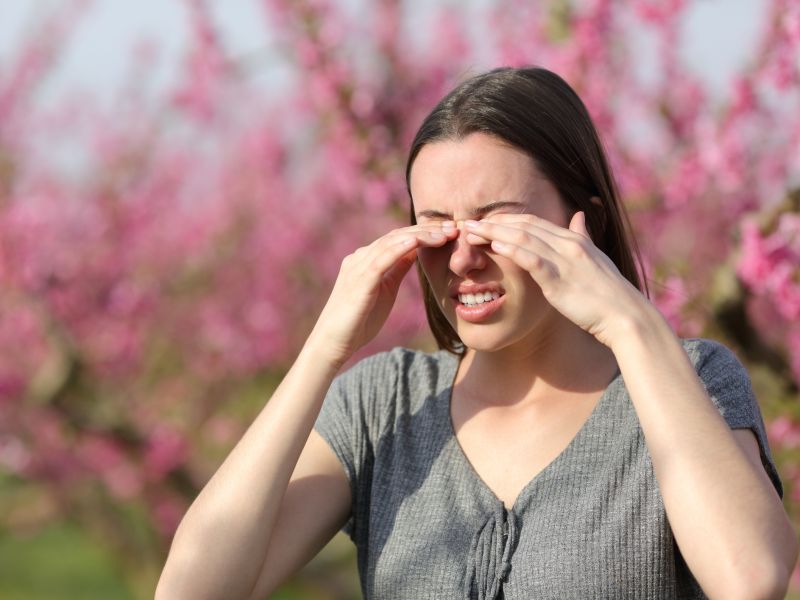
(576, 278)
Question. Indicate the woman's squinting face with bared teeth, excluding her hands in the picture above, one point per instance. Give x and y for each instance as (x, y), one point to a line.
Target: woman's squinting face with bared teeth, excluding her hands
(474, 178)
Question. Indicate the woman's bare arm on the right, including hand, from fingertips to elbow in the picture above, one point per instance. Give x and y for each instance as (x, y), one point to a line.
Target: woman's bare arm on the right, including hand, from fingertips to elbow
(727, 518)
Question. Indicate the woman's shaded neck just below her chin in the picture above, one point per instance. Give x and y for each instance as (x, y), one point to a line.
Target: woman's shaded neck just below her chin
(562, 362)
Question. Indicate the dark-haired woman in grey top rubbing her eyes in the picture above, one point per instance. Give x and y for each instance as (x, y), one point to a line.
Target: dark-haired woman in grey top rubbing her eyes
(564, 443)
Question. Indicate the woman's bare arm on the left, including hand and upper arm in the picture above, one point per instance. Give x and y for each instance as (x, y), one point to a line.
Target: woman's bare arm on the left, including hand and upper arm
(228, 544)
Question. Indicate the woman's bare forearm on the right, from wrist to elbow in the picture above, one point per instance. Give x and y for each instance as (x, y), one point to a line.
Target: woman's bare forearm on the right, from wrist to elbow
(727, 519)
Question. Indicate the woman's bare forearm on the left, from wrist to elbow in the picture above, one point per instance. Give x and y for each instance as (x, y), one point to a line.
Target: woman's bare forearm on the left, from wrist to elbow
(220, 545)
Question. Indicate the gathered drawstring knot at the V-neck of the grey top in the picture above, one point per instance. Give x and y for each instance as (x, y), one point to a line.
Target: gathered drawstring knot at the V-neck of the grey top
(490, 555)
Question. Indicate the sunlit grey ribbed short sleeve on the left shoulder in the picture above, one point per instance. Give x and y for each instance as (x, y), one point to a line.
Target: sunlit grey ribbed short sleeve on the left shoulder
(351, 420)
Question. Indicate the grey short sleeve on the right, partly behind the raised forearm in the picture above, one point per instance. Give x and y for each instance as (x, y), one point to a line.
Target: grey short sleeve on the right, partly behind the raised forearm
(728, 384)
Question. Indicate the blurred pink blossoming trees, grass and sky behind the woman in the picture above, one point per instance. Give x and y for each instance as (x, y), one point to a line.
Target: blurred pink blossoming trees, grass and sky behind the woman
(180, 180)
